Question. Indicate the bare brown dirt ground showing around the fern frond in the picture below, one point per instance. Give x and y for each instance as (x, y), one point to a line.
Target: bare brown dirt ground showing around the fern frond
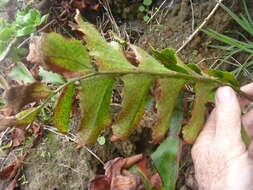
(55, 164)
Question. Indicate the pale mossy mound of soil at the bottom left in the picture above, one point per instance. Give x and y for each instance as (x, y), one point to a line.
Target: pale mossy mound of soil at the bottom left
(63, 167)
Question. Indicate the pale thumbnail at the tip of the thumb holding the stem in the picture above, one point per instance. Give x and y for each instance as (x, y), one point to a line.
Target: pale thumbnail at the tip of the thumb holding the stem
(224, 94)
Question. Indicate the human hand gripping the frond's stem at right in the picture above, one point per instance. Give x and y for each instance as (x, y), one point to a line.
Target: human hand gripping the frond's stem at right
(221, 160)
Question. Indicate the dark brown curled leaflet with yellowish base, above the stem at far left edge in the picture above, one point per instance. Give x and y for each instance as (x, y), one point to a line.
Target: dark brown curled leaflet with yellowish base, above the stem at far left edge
(19, 96)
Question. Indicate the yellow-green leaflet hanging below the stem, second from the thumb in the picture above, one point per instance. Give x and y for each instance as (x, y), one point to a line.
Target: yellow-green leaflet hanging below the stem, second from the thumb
(166, 95)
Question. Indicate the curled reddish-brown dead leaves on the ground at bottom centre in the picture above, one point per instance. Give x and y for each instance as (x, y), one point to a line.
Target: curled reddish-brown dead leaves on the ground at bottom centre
(117, 177)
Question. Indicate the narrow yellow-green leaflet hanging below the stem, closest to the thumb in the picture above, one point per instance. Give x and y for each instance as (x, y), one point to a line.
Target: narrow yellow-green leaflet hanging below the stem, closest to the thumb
(193, 128)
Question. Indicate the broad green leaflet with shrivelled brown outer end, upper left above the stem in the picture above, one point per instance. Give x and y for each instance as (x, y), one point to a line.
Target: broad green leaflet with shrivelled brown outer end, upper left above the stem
(60, 55)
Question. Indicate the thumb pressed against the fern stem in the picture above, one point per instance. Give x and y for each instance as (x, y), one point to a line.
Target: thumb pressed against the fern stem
(228, 116)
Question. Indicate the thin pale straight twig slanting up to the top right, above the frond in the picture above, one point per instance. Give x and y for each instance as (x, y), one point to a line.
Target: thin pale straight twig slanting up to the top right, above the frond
(200, 26)
